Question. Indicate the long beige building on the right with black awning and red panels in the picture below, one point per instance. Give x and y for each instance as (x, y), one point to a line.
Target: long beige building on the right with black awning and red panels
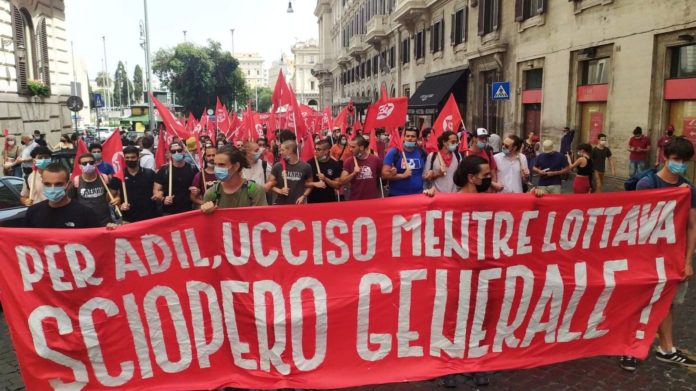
(598, 66)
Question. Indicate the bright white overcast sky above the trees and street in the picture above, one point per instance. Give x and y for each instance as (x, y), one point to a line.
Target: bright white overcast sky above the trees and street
(261, 26)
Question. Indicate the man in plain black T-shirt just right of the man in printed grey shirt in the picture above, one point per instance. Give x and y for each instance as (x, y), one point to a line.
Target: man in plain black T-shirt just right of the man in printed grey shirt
(140, 182)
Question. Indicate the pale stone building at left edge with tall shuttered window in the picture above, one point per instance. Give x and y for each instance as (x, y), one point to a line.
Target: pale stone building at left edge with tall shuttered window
(37, 68)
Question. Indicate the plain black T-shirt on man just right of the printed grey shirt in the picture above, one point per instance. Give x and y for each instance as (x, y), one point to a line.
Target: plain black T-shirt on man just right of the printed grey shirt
(139, 188)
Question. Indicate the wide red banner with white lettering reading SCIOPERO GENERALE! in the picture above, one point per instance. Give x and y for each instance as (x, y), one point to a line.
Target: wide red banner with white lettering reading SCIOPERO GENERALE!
(315, 296)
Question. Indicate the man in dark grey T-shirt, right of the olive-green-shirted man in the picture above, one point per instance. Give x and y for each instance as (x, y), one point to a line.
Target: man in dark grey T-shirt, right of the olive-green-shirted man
(290, 180)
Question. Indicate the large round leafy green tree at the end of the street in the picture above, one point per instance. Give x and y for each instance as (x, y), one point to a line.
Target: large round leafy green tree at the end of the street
(199, 74)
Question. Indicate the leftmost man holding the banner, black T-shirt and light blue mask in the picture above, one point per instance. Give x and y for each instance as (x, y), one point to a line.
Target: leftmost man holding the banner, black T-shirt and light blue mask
(58, 210)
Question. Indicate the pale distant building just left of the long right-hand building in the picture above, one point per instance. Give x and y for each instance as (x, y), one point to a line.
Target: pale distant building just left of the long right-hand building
(304, 84)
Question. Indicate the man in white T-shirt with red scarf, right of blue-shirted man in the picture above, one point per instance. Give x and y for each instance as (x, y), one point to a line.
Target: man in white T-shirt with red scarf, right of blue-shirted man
(440, 166)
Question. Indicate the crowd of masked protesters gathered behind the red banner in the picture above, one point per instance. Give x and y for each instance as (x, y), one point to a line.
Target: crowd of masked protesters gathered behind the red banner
(344, 168)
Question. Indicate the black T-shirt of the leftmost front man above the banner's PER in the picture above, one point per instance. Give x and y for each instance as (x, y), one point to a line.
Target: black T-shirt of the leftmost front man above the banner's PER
(72, 215)
